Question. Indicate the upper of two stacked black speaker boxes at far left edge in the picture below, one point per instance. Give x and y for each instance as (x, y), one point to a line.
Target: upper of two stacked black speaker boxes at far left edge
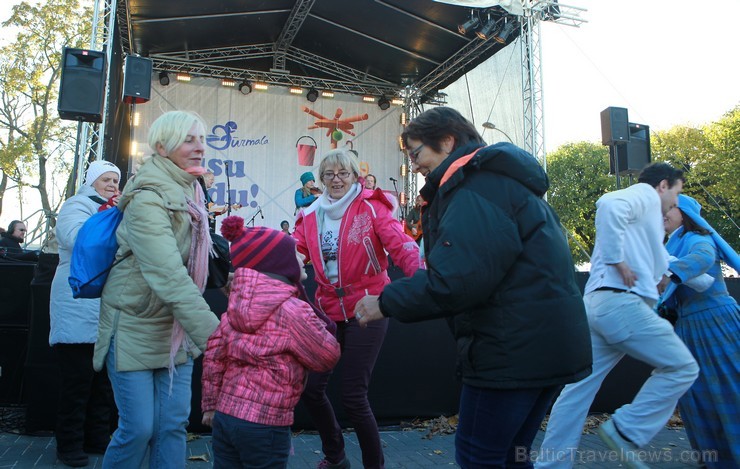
(15, 294)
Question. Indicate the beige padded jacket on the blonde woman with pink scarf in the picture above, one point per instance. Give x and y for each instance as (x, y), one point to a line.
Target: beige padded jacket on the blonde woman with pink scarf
(148, 290)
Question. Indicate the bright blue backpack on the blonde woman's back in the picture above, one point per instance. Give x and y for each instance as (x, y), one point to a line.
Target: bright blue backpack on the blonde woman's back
(94, 253)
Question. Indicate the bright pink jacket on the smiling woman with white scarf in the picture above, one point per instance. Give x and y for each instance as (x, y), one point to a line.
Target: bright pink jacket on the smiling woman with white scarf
(367, 231)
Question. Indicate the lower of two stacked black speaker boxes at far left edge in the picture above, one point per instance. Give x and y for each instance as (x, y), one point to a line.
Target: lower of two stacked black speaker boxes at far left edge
(12, 356)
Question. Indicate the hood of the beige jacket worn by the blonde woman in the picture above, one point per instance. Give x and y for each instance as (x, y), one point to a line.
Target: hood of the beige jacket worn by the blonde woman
(168, 180)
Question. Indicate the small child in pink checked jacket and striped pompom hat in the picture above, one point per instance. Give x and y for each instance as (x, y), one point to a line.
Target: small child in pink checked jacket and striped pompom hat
(256, 362)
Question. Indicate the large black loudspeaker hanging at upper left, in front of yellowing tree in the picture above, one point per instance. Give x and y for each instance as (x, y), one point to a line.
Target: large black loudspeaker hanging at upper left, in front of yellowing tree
(82, 86)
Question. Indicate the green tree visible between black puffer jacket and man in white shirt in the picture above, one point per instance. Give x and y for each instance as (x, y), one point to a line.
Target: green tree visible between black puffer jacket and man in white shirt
(579, 175)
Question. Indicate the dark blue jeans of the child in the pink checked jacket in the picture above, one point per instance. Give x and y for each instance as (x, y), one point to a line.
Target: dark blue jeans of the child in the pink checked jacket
(238, 443)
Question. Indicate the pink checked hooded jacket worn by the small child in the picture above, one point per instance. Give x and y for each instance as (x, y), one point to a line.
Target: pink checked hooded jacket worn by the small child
(255, 363)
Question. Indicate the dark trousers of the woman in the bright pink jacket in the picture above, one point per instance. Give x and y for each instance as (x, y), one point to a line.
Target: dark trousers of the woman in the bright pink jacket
(360, 348)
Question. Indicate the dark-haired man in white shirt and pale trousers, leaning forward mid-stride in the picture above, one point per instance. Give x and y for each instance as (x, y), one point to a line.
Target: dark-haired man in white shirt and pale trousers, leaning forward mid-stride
(628, 262)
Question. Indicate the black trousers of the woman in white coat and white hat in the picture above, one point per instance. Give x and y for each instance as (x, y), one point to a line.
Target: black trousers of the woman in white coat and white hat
(85, 401)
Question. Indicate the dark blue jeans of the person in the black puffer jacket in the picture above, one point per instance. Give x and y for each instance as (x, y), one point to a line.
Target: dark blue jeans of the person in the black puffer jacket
(497, 426)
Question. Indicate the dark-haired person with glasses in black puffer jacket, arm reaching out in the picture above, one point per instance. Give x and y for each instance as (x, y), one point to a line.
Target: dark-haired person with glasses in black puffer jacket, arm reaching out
(499, 268)
